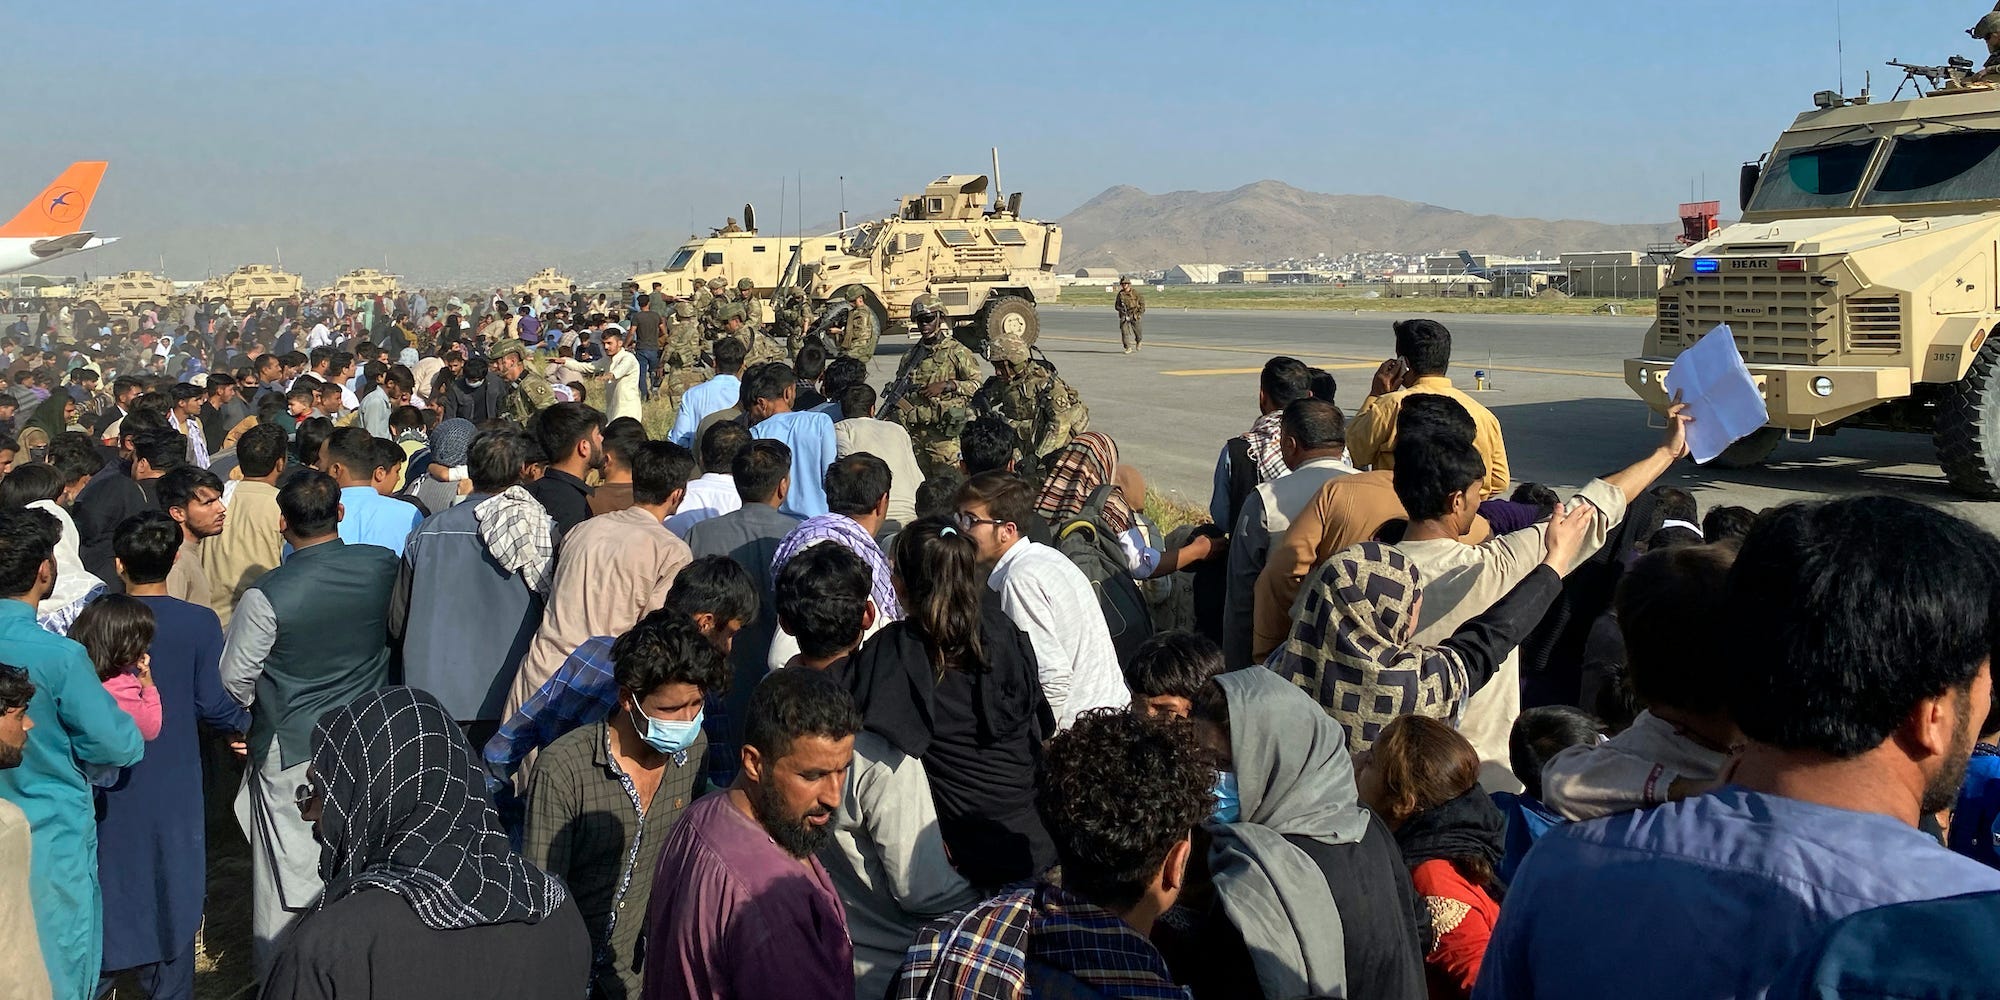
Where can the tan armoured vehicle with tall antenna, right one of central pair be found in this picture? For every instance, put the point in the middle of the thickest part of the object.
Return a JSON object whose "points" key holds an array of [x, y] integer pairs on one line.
{"points": [[983, 265]]}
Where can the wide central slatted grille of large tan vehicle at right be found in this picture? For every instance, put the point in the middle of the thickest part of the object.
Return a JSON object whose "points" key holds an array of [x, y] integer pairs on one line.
{"points": [[1779, 319]]}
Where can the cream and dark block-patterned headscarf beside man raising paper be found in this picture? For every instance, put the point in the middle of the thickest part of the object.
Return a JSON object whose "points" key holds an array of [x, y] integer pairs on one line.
{"points": [[1351, 647]]}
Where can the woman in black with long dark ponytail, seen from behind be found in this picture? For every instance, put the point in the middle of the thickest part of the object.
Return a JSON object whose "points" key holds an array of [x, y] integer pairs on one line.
{"points": [[955, 685]]}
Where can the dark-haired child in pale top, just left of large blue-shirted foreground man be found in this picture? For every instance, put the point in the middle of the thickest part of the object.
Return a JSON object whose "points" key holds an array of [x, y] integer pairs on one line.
{"points": [[1681, 741]]}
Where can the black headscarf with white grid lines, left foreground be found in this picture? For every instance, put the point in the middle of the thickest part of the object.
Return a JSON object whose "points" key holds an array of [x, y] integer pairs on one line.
{"points": [[405, 811]]}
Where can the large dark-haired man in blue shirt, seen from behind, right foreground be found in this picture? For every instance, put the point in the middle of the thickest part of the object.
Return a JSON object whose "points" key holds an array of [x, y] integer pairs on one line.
{"points": [[1857, 643]]}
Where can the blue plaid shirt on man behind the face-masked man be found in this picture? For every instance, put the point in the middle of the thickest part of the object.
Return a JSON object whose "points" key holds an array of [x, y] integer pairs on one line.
{"points": [[579, 693]]}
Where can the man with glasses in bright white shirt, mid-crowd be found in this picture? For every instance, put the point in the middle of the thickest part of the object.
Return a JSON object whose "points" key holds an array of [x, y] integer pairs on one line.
{"points": [[1047, 597]]}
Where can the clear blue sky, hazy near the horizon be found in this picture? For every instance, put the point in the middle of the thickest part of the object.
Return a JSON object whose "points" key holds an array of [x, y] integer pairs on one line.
{"points": [[563, 121]]}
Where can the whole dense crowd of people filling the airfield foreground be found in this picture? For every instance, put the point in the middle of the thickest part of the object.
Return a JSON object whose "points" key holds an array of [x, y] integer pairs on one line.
{"points": [[823, 693]]}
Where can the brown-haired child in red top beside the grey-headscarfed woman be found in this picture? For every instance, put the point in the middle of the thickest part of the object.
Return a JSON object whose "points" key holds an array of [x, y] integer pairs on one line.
{"points": [[1425, 781]]}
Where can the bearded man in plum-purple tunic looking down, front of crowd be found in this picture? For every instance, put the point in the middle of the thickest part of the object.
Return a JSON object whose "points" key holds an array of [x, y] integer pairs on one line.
{"points": [[741, 905]]}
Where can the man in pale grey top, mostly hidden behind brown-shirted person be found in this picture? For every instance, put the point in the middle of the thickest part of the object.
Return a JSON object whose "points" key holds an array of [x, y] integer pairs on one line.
{"points": [[1313, 443]]}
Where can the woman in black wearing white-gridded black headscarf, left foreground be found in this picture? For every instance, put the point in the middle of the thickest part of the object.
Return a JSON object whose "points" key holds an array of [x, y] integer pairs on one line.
{"points": [[423, 893]]}
